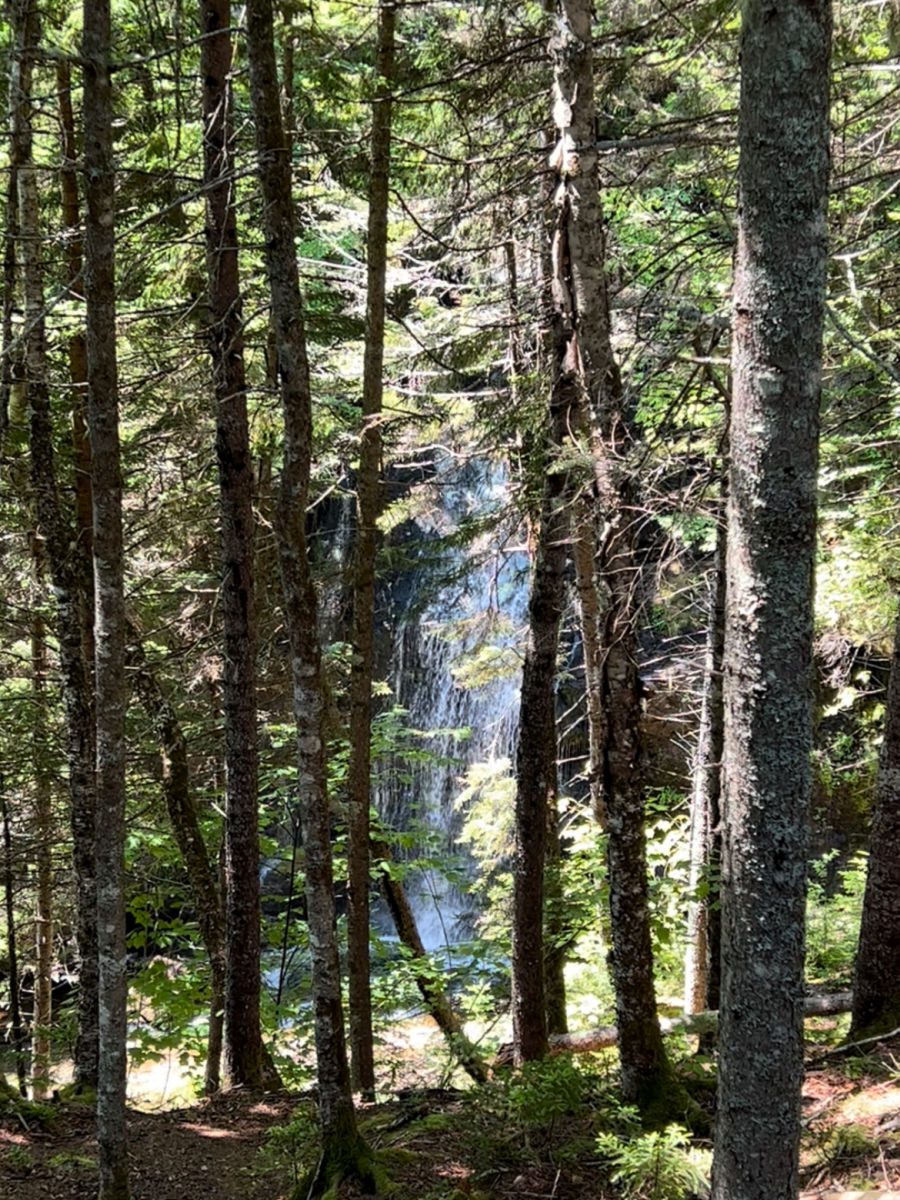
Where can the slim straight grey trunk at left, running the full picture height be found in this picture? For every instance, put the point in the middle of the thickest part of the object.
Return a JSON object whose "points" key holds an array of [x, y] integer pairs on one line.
{"points": [[110, 595]]}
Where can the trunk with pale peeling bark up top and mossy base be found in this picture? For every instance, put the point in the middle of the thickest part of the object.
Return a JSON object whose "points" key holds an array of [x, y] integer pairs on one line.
{"points": [[583, 322]]}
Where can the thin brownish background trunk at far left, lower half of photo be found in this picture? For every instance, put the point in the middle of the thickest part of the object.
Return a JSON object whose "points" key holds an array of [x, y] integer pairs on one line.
{"points": [[44, 851]]}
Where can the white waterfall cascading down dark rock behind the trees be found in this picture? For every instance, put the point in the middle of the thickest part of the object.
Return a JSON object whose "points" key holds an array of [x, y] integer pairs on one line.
{"points": [[457, 670]]}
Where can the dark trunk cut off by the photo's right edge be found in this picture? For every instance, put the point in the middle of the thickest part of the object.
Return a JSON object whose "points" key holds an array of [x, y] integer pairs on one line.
{"points": [[877, 987]]}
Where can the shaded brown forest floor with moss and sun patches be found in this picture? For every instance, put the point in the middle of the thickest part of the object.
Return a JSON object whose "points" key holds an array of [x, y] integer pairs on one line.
{"points": [[508, 1141]]}
